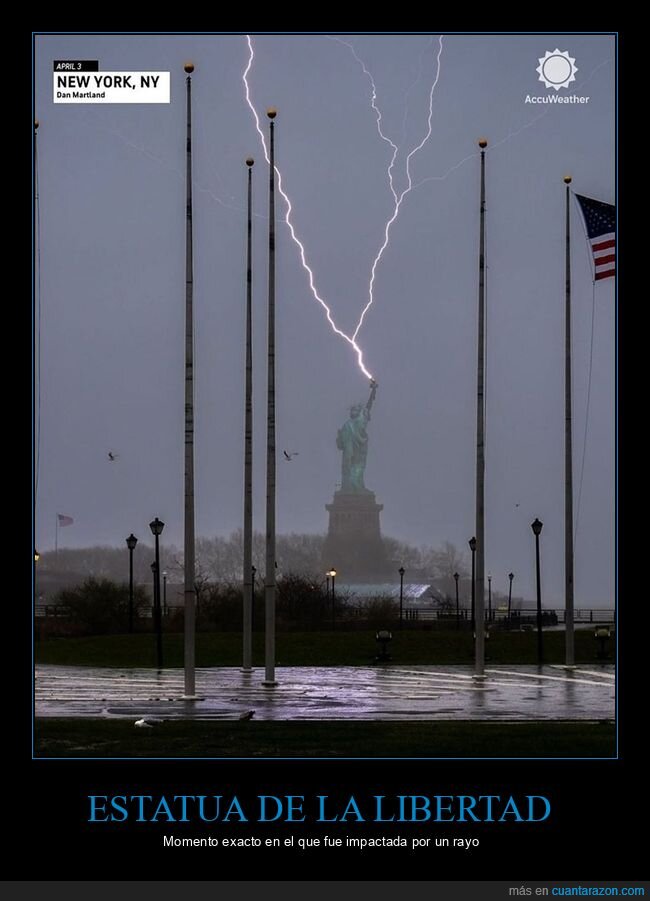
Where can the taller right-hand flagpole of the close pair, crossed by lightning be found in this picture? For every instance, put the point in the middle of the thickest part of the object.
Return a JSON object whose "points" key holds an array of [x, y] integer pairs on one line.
{"points": [[269, 593]]}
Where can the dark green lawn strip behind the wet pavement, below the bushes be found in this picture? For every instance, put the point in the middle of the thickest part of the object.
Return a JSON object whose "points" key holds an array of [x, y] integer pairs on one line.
{"points": [[317, 648]]}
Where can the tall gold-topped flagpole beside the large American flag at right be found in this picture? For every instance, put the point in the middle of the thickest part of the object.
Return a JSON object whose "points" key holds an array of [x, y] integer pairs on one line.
{"points": [[568, 453]]}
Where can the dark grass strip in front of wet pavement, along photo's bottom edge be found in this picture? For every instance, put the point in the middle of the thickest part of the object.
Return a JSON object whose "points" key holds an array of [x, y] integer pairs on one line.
{"points": [[187, 738]]}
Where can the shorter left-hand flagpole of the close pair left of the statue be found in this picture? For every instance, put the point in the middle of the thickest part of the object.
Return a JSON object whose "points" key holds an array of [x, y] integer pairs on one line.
{"points": [[248, 441]]}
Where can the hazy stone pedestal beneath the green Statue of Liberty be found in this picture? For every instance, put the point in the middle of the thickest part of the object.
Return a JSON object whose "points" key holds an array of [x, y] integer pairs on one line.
{"points": [[354, 546]]}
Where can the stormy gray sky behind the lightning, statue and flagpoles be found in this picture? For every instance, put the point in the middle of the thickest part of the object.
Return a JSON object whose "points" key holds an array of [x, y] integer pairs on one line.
{"points": [[112, 291]]}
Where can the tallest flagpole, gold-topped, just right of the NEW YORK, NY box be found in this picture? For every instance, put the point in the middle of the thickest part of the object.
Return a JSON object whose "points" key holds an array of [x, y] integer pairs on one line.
{"points": [[189, 543]]}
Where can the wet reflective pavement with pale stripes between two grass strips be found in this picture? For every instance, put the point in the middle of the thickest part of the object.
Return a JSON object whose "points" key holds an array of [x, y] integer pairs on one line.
{"points": [[333, 693]]}
